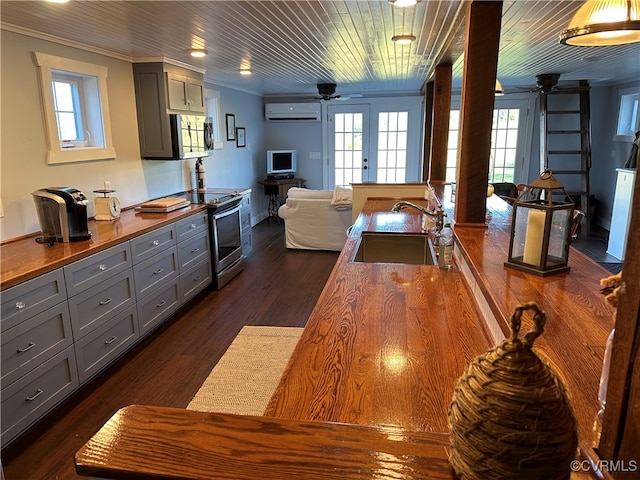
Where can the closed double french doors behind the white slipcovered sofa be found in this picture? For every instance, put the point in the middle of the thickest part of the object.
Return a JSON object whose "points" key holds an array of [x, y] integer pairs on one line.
{"points": [[374, 142]]}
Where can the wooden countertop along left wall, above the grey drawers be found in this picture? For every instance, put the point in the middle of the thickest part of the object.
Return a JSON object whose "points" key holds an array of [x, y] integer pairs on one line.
{"points": [[23, 259]]}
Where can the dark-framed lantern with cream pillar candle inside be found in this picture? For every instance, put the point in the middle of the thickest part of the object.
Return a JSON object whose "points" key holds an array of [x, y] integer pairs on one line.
{"points": [[541, 228]]}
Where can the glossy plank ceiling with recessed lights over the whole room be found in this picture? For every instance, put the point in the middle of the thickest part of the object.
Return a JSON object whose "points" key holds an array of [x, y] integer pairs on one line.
{"points": [[292, 45]]}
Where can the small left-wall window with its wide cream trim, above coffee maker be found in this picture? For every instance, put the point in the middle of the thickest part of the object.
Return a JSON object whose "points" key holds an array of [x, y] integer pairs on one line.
{"points": [[76, 109]]}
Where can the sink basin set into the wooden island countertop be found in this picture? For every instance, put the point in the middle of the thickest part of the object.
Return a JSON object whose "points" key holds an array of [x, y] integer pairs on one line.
{"points": [[388, 247]]}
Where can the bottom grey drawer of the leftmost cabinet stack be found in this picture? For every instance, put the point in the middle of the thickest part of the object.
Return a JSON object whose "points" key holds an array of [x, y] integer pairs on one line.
{"points": [[30, 397]]}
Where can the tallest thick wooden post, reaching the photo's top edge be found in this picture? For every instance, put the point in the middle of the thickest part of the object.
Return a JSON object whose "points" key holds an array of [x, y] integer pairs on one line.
{"points": [[482, 41]]}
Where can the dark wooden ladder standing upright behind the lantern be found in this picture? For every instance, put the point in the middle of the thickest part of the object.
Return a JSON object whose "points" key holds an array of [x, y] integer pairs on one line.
{"points": [[565, 143]]}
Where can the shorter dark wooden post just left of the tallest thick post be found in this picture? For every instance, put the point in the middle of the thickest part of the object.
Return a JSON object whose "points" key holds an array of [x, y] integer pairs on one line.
{"points": [[440, 132]]}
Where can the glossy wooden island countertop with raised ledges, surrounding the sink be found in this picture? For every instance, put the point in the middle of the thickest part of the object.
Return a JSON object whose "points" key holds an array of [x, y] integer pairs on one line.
{"points": [[381, 350]]}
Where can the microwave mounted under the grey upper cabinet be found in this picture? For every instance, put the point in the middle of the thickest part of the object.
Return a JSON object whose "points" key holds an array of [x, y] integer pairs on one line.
{"points": [[191, 137]]}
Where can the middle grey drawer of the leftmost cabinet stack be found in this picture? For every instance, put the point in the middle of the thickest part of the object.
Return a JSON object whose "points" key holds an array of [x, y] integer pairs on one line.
{"points": [[35, 341]]}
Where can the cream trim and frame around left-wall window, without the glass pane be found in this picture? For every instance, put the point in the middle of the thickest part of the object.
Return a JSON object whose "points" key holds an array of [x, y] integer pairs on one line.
{"points": [[96, 107]]}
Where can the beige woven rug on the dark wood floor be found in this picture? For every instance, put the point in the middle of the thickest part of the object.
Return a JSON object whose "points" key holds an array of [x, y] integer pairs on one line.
{"points": [[246, 376]]}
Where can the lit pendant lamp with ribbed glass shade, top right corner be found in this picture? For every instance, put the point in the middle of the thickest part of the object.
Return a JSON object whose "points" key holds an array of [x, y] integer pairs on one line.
{"points": [[604, 22]]}
